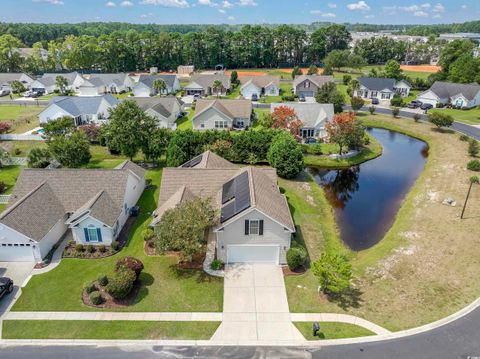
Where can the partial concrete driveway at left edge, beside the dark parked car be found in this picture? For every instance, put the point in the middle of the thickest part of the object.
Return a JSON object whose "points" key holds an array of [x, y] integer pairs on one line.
{"points": [[18, 272]]}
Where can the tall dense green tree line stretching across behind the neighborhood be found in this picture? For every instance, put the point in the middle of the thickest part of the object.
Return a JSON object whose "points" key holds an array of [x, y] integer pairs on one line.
{"points": [[251, 47]]}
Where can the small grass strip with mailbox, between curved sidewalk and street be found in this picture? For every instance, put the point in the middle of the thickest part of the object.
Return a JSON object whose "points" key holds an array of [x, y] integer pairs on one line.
{"points": [[332, 330]]}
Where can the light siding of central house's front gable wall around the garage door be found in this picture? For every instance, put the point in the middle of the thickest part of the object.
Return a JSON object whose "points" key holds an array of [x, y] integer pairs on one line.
{"points": [[234, 234]]}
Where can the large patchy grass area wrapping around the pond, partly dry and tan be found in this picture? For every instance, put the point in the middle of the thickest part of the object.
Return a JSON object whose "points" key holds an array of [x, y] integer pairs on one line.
{"points": [[424, 268]]}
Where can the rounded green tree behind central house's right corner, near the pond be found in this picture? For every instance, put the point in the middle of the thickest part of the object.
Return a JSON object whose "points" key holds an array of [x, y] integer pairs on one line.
{"points": [[285, 155]]}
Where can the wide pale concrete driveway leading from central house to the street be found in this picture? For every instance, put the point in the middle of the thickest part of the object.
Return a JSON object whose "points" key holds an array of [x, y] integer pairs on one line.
{"points": [[255, 306]]}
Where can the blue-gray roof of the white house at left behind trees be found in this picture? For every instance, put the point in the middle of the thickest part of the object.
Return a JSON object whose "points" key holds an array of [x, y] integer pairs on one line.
{"points": [[88, 105]]}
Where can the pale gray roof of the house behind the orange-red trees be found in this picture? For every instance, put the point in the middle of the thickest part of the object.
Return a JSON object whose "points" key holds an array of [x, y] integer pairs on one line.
{"points": [[311, 114]]}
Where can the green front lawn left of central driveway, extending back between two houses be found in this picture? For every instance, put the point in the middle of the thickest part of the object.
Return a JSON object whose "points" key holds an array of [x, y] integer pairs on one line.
{"points": [[165, 287]]}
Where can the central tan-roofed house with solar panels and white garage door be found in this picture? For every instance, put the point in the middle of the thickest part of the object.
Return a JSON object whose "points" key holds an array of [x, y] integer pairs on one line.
{"points": [[254, 224]]}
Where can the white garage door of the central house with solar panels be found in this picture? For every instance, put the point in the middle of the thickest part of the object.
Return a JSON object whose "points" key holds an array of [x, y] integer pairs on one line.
{"points": [[253, 254]]}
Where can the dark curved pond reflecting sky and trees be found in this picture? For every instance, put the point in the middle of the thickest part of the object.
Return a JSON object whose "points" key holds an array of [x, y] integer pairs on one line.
{"points": [[367, 197]]}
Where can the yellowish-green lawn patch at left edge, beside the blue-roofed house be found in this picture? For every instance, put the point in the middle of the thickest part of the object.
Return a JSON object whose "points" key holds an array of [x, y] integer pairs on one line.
{"points": [[21, 118]]}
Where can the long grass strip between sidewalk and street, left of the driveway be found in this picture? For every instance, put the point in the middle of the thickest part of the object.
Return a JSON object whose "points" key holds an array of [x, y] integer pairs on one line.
{"points": [[93, 329]]}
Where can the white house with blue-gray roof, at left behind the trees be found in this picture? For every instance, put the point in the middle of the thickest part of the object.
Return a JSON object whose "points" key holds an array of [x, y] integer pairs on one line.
{"points": [[82, 110]]}
